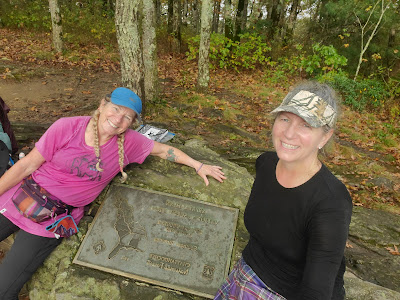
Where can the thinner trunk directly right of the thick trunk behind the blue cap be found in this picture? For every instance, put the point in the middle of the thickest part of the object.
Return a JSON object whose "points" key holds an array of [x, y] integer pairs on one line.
{"points": [[150, 50]]}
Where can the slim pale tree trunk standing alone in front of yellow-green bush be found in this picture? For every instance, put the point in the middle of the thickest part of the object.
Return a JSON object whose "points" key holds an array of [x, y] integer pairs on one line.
{"points": [[206, 20]]}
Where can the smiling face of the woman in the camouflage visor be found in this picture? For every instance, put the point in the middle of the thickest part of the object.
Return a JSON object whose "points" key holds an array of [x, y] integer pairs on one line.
{"points": [[295, 141]]}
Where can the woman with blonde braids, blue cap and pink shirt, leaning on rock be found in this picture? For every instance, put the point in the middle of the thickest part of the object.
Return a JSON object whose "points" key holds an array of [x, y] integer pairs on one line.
{"points": [[73, 161]]}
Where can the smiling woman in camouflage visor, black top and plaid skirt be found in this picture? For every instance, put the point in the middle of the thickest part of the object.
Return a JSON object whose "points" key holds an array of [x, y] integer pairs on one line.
{"points": [[298, 213]]}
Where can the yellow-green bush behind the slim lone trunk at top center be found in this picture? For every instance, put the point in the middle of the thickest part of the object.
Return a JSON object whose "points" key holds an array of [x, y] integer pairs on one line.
{"points": [[247, 53]]}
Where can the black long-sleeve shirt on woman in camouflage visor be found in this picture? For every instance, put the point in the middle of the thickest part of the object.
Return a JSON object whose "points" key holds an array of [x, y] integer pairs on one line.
{"points": [[298, 235]]}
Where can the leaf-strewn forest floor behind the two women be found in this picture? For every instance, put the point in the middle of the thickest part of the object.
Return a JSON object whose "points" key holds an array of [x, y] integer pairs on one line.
{"points": [[40, 87]]}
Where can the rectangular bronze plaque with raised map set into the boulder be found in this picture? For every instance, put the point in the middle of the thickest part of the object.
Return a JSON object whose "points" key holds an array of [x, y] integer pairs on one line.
{"points": [[162, 239]]}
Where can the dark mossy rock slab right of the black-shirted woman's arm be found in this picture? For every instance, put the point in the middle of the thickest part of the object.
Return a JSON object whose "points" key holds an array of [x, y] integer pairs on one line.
{"points": [[372, 235]]}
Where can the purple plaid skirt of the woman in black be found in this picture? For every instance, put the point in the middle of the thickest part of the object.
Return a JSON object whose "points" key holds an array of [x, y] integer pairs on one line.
{"points": [[243, 284]]}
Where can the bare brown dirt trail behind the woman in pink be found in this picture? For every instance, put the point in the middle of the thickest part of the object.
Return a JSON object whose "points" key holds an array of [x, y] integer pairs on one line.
{"points": [[55, 94]]}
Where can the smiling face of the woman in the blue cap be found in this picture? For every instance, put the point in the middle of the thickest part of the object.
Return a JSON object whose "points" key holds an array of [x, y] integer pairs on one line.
{"points": [[114, 119]]}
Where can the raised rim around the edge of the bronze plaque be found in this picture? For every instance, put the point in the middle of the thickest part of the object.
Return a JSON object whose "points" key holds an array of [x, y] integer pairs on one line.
{"points": [[145, 279]]}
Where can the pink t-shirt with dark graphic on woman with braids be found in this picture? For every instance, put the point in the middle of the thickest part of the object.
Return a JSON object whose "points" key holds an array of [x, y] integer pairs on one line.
{"points": [[69, 172]]}
